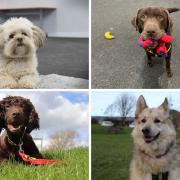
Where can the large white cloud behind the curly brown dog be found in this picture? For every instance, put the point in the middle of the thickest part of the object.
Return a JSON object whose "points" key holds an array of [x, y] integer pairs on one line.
{"points": [[56, 113]]}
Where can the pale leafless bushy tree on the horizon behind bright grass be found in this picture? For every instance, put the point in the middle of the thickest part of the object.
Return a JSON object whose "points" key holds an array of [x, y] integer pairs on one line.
{"points": [[63, 140]]}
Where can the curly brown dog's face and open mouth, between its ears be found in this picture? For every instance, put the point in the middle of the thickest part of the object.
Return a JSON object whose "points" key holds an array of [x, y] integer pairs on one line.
{"points": [[16, 119]]}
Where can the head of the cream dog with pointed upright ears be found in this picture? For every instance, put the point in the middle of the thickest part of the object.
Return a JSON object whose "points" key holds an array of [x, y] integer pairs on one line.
{"points": [[152, 124]]}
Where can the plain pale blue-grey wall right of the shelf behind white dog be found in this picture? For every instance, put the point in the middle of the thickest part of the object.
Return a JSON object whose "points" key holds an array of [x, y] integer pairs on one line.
{"points": [[71, 17]]}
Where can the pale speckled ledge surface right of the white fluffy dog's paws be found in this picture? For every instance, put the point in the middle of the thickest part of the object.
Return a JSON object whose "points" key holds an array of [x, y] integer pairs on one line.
{"points": [[54, 81]]}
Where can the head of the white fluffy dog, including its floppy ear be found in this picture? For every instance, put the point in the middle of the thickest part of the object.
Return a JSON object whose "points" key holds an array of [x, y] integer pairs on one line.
{"points": [[20, 38]]}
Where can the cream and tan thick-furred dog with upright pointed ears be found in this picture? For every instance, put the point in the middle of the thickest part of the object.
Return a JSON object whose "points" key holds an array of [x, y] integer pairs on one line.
{"points": [[155, 147]]}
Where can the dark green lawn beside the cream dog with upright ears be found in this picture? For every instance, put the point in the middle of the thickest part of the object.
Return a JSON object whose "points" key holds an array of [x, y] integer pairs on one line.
{"points": [[111, 154]]}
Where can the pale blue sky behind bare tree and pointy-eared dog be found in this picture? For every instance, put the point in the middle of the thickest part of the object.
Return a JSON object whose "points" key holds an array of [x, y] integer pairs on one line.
{"points": [[101, 99]]}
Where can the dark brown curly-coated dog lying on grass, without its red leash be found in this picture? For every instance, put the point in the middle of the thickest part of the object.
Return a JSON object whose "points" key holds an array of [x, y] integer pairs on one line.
{"points": [[16, 113]]}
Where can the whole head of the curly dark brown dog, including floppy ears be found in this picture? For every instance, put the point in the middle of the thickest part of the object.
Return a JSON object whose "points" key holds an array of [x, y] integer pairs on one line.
{"points": [[16, 113]]}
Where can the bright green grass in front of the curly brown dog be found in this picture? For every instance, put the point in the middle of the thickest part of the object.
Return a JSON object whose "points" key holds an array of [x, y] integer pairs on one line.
{"points": [[74, 168]]}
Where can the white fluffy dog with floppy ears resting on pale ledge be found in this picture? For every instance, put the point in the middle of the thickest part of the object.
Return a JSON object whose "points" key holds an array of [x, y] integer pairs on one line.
{"points": [[19, 40]]}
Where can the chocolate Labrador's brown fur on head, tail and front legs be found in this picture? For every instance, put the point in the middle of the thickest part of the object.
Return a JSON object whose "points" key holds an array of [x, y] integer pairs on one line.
{"points": [[154, 22]]}
